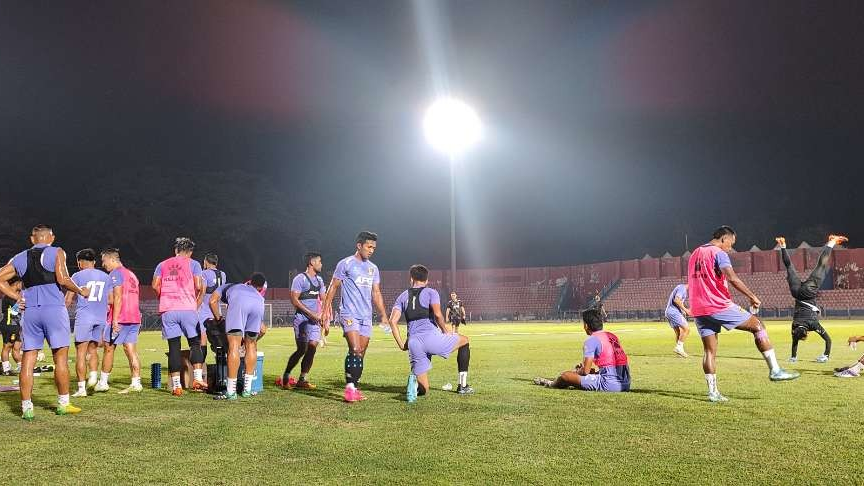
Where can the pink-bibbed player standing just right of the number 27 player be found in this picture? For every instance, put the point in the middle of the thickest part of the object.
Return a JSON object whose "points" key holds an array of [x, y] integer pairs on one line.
{"points": [[125, 320]]}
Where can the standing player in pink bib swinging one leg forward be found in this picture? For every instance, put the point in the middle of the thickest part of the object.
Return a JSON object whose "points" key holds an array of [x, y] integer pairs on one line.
{"points": [[708, 271]]}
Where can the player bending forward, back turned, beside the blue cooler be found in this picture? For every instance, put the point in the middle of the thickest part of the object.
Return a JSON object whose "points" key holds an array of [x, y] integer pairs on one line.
{"points": [[242, 325]]}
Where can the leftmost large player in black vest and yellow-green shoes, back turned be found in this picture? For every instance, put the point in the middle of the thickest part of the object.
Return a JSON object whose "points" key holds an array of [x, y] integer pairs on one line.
{"points": [[43, 271]]}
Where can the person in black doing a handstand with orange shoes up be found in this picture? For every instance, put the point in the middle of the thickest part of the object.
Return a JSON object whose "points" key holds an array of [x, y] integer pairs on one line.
{"points": [[806, 314]]}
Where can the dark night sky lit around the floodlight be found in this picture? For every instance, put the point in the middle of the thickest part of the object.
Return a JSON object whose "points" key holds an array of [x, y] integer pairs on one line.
{"points": [[611, 128]]}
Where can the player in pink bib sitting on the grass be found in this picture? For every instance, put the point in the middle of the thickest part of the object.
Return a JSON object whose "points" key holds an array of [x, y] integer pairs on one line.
{"points": [[601, 348]]}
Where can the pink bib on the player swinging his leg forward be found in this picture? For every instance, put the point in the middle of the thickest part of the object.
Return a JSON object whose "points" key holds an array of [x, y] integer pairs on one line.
{"points": [[708, 291]]}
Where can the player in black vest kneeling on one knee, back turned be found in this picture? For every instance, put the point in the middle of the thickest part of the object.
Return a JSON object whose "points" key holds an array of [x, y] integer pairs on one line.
{"points": [[428, 334]]}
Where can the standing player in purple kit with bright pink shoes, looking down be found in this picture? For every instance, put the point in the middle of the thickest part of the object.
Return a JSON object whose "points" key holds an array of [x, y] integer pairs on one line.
{"points": [[359, 283]]}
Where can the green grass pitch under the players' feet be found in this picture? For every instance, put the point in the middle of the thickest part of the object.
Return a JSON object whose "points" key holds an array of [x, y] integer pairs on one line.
{"points": [[806, 431]]}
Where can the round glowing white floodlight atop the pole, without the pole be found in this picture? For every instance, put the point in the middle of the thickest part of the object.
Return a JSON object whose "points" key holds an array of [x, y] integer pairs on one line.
{"points": [[451, 126]]}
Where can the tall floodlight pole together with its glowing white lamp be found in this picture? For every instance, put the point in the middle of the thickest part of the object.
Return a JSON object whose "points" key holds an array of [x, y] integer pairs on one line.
{"points": [[451, 127]]}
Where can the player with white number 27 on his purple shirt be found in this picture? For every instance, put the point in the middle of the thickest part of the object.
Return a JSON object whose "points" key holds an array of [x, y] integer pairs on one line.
{"points": [[90, 320]]}
